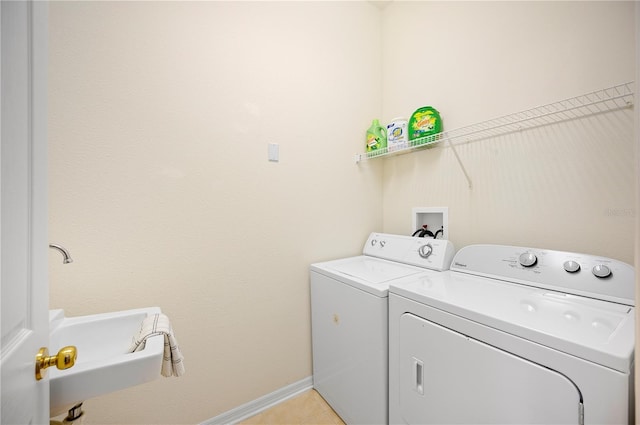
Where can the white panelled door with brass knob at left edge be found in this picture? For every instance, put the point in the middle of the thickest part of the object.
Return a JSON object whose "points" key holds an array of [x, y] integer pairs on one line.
{"points": [[24, 296]]}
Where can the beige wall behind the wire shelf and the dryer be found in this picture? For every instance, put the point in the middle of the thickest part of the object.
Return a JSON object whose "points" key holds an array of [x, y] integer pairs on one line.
{"points": [[569, 186]]}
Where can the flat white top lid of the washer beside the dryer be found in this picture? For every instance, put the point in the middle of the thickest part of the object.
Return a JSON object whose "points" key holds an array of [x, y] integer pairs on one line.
{"points": [[367, 273]]}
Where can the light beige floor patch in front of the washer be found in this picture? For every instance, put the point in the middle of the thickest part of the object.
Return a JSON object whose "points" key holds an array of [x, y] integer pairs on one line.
{"points": [[308, 408]]}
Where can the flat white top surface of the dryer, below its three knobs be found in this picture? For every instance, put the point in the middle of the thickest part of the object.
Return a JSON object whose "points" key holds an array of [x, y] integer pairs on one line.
{"points": [[595, 330]]}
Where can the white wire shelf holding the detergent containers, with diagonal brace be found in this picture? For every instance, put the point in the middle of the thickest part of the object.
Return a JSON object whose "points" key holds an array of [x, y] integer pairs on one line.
{"points": [[597, 102]]}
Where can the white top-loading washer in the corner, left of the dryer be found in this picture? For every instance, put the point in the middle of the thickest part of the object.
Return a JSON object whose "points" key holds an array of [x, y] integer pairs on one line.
{"points": [[349, 320]]}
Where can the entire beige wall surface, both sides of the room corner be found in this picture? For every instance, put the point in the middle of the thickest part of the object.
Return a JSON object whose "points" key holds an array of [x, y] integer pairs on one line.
{"points": [[160, 116]]}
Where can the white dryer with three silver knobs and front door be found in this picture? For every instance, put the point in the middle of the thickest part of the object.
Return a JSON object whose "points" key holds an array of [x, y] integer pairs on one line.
{"points": [[514, 335]]}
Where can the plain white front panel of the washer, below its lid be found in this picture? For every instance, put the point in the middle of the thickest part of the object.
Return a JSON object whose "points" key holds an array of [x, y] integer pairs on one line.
{"points": [[349, 342]]}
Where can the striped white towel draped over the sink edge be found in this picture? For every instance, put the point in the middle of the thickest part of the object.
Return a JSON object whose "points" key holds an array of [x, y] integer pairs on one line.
{"points": [[158, 324]]}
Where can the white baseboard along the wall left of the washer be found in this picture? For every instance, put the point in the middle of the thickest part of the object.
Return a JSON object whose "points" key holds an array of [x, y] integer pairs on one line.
{"points": [[258, 405]]}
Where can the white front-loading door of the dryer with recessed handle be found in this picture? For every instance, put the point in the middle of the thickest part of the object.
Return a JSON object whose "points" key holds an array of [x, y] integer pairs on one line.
{"points": [[447, 377]]}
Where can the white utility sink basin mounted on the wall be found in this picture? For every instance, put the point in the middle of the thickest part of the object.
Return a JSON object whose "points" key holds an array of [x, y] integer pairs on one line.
{"points": [[103, 364]]}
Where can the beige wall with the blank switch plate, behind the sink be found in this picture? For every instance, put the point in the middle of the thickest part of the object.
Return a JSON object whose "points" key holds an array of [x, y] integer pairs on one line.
{"points": [[160, 187]]}
